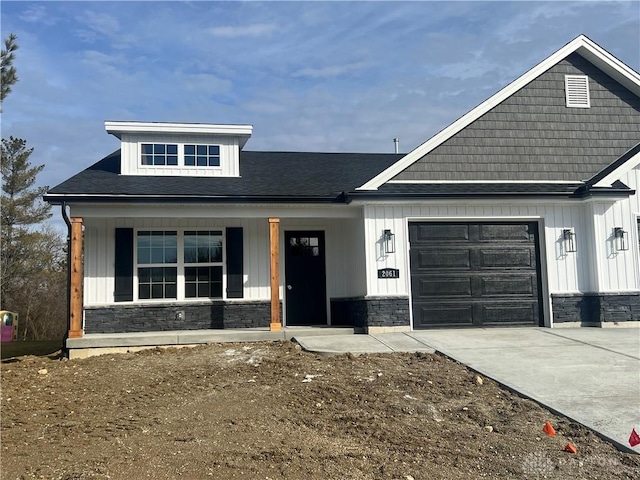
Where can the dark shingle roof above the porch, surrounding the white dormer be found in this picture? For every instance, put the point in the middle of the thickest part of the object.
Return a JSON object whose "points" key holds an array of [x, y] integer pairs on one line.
{"points": [[263, 175]]}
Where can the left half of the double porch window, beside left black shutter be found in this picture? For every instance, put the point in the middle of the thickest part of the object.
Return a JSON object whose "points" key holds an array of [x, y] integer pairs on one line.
{"points": [[157, 250]]}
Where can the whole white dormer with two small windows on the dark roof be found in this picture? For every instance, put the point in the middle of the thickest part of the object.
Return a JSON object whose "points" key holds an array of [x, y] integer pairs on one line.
{"points": [[180, 149]]}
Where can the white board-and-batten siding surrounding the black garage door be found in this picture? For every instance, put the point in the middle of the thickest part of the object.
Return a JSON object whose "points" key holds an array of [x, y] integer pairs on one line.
{"points": [[561, 272]]}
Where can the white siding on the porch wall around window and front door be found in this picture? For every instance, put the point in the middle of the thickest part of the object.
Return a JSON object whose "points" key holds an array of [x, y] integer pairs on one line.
{"points": [[344, 242]]}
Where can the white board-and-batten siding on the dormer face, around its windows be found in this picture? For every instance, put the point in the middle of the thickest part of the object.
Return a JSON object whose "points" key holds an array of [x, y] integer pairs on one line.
{"points": [[229, 155]]}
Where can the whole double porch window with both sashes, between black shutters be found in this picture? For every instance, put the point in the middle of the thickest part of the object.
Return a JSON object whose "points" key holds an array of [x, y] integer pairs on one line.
{"points": [[162, 270]]}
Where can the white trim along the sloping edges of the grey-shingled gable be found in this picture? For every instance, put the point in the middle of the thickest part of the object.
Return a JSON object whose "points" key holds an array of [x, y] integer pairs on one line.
{"points": [[581, 45]]}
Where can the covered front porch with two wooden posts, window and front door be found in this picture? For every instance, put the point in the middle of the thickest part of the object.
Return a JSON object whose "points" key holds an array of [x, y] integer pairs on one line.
{"points": [[268, 268]]}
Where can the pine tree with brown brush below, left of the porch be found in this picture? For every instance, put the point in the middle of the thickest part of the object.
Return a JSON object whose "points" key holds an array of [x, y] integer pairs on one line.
{"points": [[31, 254]]}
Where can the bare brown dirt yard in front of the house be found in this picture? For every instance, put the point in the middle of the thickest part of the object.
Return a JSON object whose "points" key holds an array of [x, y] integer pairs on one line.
{"points": [[270, 411]]}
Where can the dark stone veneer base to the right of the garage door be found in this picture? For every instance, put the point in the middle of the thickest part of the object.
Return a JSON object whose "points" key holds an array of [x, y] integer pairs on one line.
{"points": [[596, 309]]}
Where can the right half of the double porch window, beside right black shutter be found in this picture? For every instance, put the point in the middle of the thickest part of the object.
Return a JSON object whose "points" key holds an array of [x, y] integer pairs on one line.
{"points": [[203, 264]]}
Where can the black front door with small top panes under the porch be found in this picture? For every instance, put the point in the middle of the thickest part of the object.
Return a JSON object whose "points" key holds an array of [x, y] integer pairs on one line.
{"points": [[305, 278]]}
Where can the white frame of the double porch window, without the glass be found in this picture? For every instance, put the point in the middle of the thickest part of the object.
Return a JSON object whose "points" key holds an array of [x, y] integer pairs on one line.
{"points": [[180, 265]]}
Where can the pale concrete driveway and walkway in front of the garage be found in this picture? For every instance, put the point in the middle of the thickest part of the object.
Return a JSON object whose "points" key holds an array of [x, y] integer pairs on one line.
{"points": [[590, 375]]}
